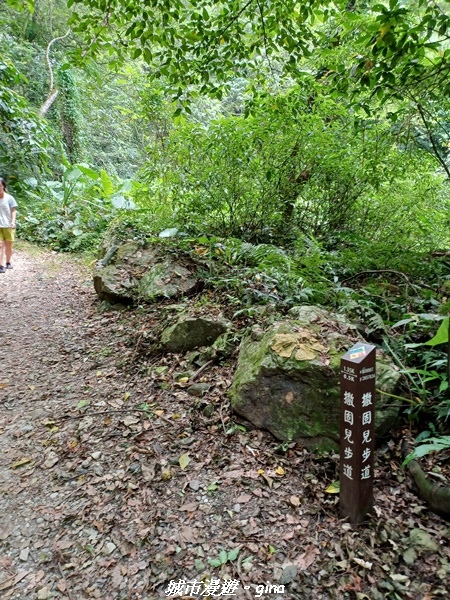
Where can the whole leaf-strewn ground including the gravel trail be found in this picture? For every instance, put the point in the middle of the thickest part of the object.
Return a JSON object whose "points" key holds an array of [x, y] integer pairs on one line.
{"points": [[114, 482]]}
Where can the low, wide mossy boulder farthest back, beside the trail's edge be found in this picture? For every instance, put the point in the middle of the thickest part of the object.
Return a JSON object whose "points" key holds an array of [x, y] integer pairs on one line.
{"points": [[131, 272]]}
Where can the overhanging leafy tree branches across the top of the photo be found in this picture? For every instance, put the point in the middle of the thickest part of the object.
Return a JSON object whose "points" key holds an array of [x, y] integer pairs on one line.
{"points": [[201, 42]]}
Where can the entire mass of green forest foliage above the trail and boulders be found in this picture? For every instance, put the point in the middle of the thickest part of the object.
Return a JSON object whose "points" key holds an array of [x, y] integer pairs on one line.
{"points": [[301, 149]]}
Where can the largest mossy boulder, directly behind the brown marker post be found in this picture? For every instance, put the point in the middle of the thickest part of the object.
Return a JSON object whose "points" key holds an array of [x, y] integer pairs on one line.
{"points": [[287, 379]]}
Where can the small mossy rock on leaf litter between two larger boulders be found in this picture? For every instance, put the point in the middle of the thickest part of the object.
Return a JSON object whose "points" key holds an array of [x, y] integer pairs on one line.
{"points": [[189, 333]]}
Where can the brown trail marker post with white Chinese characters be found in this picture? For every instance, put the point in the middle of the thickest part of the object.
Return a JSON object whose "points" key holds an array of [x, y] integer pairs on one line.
{"points": [[357, 432]]}
